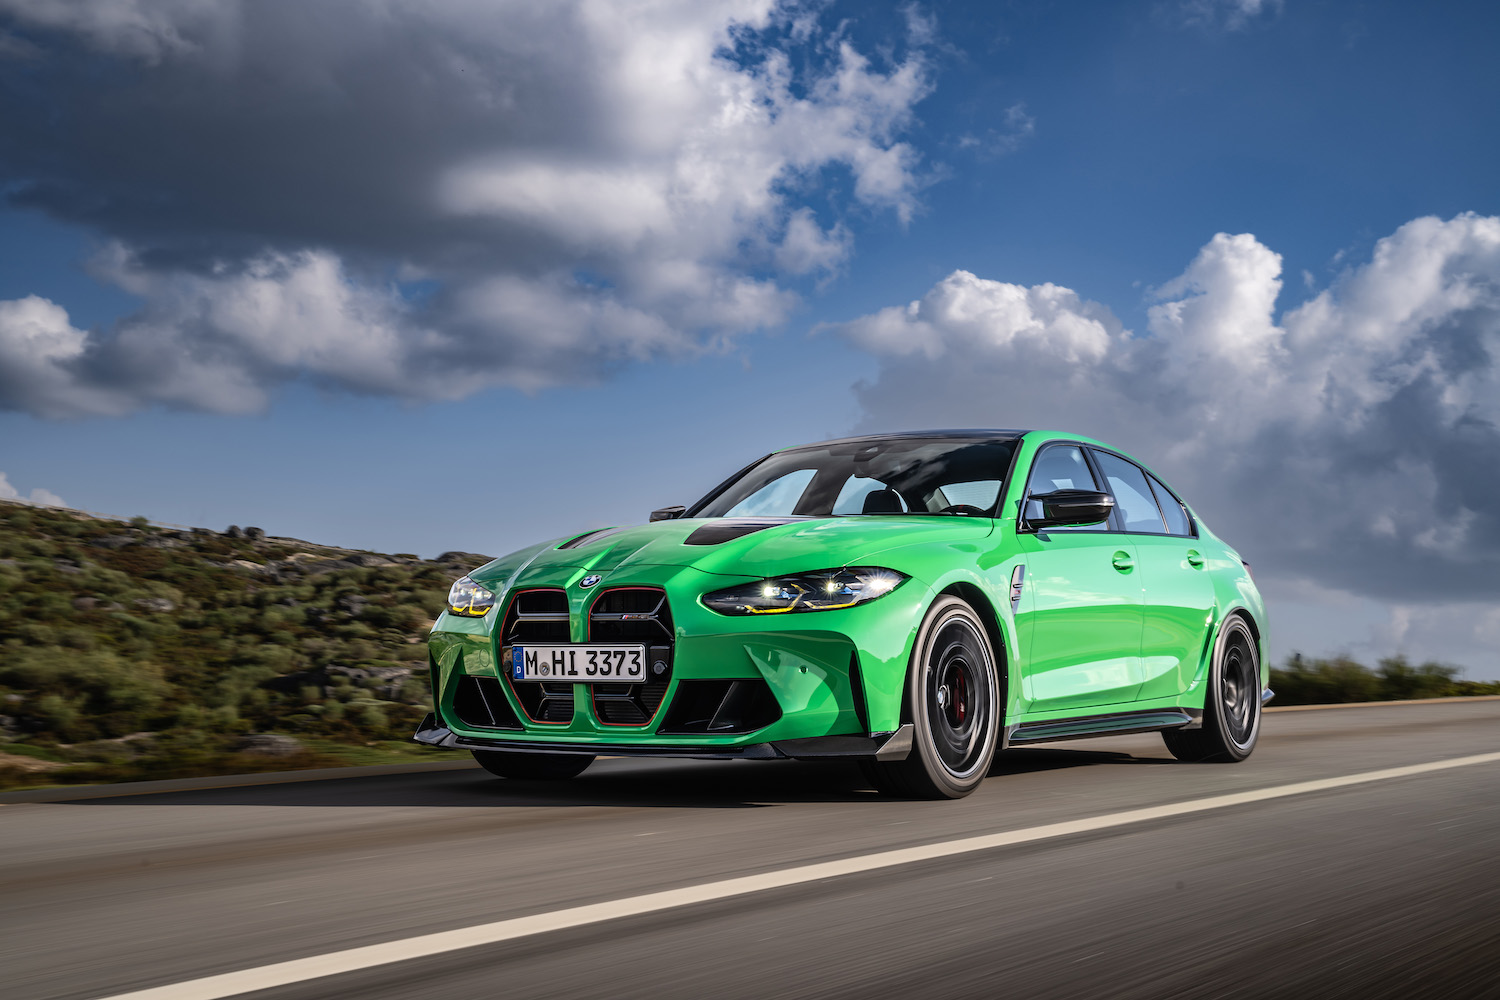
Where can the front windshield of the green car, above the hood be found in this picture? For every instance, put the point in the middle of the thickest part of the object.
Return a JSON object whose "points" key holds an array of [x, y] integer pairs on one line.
{"points": [[898, 476]]}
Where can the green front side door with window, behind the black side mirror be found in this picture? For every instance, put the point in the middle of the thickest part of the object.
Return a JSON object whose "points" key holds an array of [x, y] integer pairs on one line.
{"points": [[1079, 620]]}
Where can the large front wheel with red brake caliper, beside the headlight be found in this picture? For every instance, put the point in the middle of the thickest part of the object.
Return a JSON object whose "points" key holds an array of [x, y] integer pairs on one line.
{"points": [[953, 701]]}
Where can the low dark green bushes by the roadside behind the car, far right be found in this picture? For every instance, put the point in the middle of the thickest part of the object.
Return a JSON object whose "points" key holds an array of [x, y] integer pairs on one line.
{"points": [[1304, 681]]}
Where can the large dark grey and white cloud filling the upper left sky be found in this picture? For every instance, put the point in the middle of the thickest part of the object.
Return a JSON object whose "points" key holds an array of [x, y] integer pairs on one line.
{"points": [[427, 200]]}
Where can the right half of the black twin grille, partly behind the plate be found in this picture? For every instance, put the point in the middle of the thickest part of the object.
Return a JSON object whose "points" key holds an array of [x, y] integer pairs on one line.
{"points": [[634, 614]]}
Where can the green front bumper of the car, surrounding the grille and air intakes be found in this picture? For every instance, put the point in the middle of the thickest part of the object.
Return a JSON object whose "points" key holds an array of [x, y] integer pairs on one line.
{"points": [[836, 674]]}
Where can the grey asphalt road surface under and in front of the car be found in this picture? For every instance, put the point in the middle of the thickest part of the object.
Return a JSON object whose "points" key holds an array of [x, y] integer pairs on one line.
{"points": [[1379, 890]]}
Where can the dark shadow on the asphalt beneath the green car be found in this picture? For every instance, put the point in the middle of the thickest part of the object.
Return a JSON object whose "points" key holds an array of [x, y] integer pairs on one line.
{"points": [[608, 783]]}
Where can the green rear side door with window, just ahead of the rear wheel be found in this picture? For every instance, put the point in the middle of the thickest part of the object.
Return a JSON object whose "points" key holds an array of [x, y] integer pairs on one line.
{"points": [[1178, 591]]}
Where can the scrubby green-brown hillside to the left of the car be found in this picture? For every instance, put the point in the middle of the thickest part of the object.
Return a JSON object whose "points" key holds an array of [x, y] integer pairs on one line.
{"points": [[134, 651]]}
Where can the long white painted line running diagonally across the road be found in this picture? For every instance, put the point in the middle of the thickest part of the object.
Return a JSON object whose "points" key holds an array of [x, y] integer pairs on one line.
{"points": [[427, 945]]}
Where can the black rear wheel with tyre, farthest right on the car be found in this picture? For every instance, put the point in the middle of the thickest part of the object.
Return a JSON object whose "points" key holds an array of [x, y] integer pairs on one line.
{"points": [[1231, 707]]}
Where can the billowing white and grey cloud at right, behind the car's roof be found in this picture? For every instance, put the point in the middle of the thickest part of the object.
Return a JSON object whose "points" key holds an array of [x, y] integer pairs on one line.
{"points": [[1352, 442]]}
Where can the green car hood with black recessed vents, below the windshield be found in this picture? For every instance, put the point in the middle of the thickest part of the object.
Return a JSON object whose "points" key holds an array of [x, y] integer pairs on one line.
{"points": [[731, 546]]}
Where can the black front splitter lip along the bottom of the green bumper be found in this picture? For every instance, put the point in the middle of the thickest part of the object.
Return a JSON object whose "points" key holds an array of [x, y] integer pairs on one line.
{"points": [[877, 747]]}
